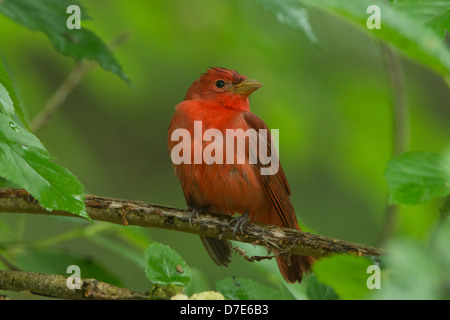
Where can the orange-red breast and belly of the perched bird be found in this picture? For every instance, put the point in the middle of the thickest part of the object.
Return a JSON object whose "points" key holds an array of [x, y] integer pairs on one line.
{"points": [[223, 185]]}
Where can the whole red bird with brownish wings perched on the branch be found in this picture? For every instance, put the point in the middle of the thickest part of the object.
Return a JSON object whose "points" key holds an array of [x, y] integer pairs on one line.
{"points": [[220, 100]]}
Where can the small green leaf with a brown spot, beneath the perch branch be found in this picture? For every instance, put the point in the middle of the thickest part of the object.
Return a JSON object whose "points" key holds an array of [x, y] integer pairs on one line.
{"points": [[165, 266]]}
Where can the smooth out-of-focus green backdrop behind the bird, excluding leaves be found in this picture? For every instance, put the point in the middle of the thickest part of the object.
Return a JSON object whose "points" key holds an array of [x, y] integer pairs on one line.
{"points": [[331, 103]]}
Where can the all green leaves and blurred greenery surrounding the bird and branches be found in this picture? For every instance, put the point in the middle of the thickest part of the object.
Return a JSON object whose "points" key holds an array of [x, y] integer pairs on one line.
{"points": [[325, 87]]}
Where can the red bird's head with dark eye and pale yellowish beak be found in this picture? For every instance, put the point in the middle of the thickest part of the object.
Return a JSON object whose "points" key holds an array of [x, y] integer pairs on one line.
{"points": [[224, 86]]}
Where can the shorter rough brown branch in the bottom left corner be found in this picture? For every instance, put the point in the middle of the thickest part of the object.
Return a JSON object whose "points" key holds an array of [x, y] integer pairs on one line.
{"points": [[55, 286]]}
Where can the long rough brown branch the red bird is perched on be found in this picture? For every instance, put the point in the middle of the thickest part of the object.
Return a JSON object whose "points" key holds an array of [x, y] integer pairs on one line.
{"points": [[126, 212]]}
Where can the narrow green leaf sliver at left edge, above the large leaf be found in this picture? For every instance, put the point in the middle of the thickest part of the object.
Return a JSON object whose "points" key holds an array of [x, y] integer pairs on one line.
{"points": [[8, 99]]}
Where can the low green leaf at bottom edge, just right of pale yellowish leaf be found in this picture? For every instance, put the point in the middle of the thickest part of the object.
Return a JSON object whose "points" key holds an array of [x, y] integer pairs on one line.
{"points": [[246, 289]]}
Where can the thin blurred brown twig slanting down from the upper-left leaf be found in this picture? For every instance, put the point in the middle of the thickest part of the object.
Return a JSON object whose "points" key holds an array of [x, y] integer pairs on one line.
{"points": [[63, 91]]}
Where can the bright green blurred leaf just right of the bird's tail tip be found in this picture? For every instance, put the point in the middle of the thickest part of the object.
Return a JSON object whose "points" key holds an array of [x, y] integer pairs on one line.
{"points": [[346, 274]]}
